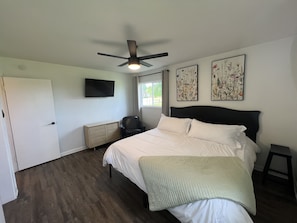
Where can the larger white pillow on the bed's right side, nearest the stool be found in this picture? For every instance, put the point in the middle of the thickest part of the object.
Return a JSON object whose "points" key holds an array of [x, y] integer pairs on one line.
{"points": [[223, 134]]}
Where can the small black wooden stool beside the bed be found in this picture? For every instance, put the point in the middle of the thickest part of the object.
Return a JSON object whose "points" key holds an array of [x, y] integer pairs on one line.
{"points": [[283, 151]]}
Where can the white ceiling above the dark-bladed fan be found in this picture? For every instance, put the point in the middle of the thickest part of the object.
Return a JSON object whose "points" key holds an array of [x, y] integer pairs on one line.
{"points": [[71, 32]]}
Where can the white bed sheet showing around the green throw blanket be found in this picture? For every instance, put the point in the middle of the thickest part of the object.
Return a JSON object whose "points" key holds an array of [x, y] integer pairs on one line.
{"points": [[124, 156]]}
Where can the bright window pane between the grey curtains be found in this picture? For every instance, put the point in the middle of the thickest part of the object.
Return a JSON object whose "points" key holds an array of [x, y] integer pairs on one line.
{"points": [[151, 94]]}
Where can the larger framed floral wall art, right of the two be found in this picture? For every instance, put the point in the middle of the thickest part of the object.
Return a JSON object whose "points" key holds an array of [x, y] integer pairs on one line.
{"points": [[227, 79]]}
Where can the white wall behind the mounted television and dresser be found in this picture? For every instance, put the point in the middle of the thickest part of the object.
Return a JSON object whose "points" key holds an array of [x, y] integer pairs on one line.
{"points": [[73, 110]]}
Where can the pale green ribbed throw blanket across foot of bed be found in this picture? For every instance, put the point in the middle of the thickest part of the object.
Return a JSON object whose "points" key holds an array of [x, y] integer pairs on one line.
{"points": [[175, 180]]}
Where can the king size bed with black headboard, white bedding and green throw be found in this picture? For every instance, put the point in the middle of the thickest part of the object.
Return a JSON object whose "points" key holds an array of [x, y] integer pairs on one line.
{"points": [[197, 163]]}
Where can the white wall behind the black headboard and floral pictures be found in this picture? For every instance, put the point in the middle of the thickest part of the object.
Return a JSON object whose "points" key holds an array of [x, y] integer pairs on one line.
{"points": [[270, 86]]}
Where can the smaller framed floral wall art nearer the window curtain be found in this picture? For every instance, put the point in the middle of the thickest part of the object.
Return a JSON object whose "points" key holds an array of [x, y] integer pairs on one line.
{"points": [[187, 83]]}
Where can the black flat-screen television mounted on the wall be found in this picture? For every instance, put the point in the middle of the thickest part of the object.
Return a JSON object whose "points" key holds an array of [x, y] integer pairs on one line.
{"points": [[99, 88]]}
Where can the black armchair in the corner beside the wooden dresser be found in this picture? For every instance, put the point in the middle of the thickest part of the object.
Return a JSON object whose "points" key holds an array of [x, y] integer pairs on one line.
{"points": [[131, 125]]}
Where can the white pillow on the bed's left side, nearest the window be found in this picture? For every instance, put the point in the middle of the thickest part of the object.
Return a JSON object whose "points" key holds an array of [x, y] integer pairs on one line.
{"points": [[177, 125]]}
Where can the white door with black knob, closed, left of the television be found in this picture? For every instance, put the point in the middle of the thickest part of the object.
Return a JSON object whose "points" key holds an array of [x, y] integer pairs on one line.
{"points": [[31, 110]]}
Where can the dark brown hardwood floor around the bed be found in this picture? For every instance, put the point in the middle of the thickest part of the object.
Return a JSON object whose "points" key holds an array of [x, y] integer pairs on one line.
{"points": [[76, 188]]}
